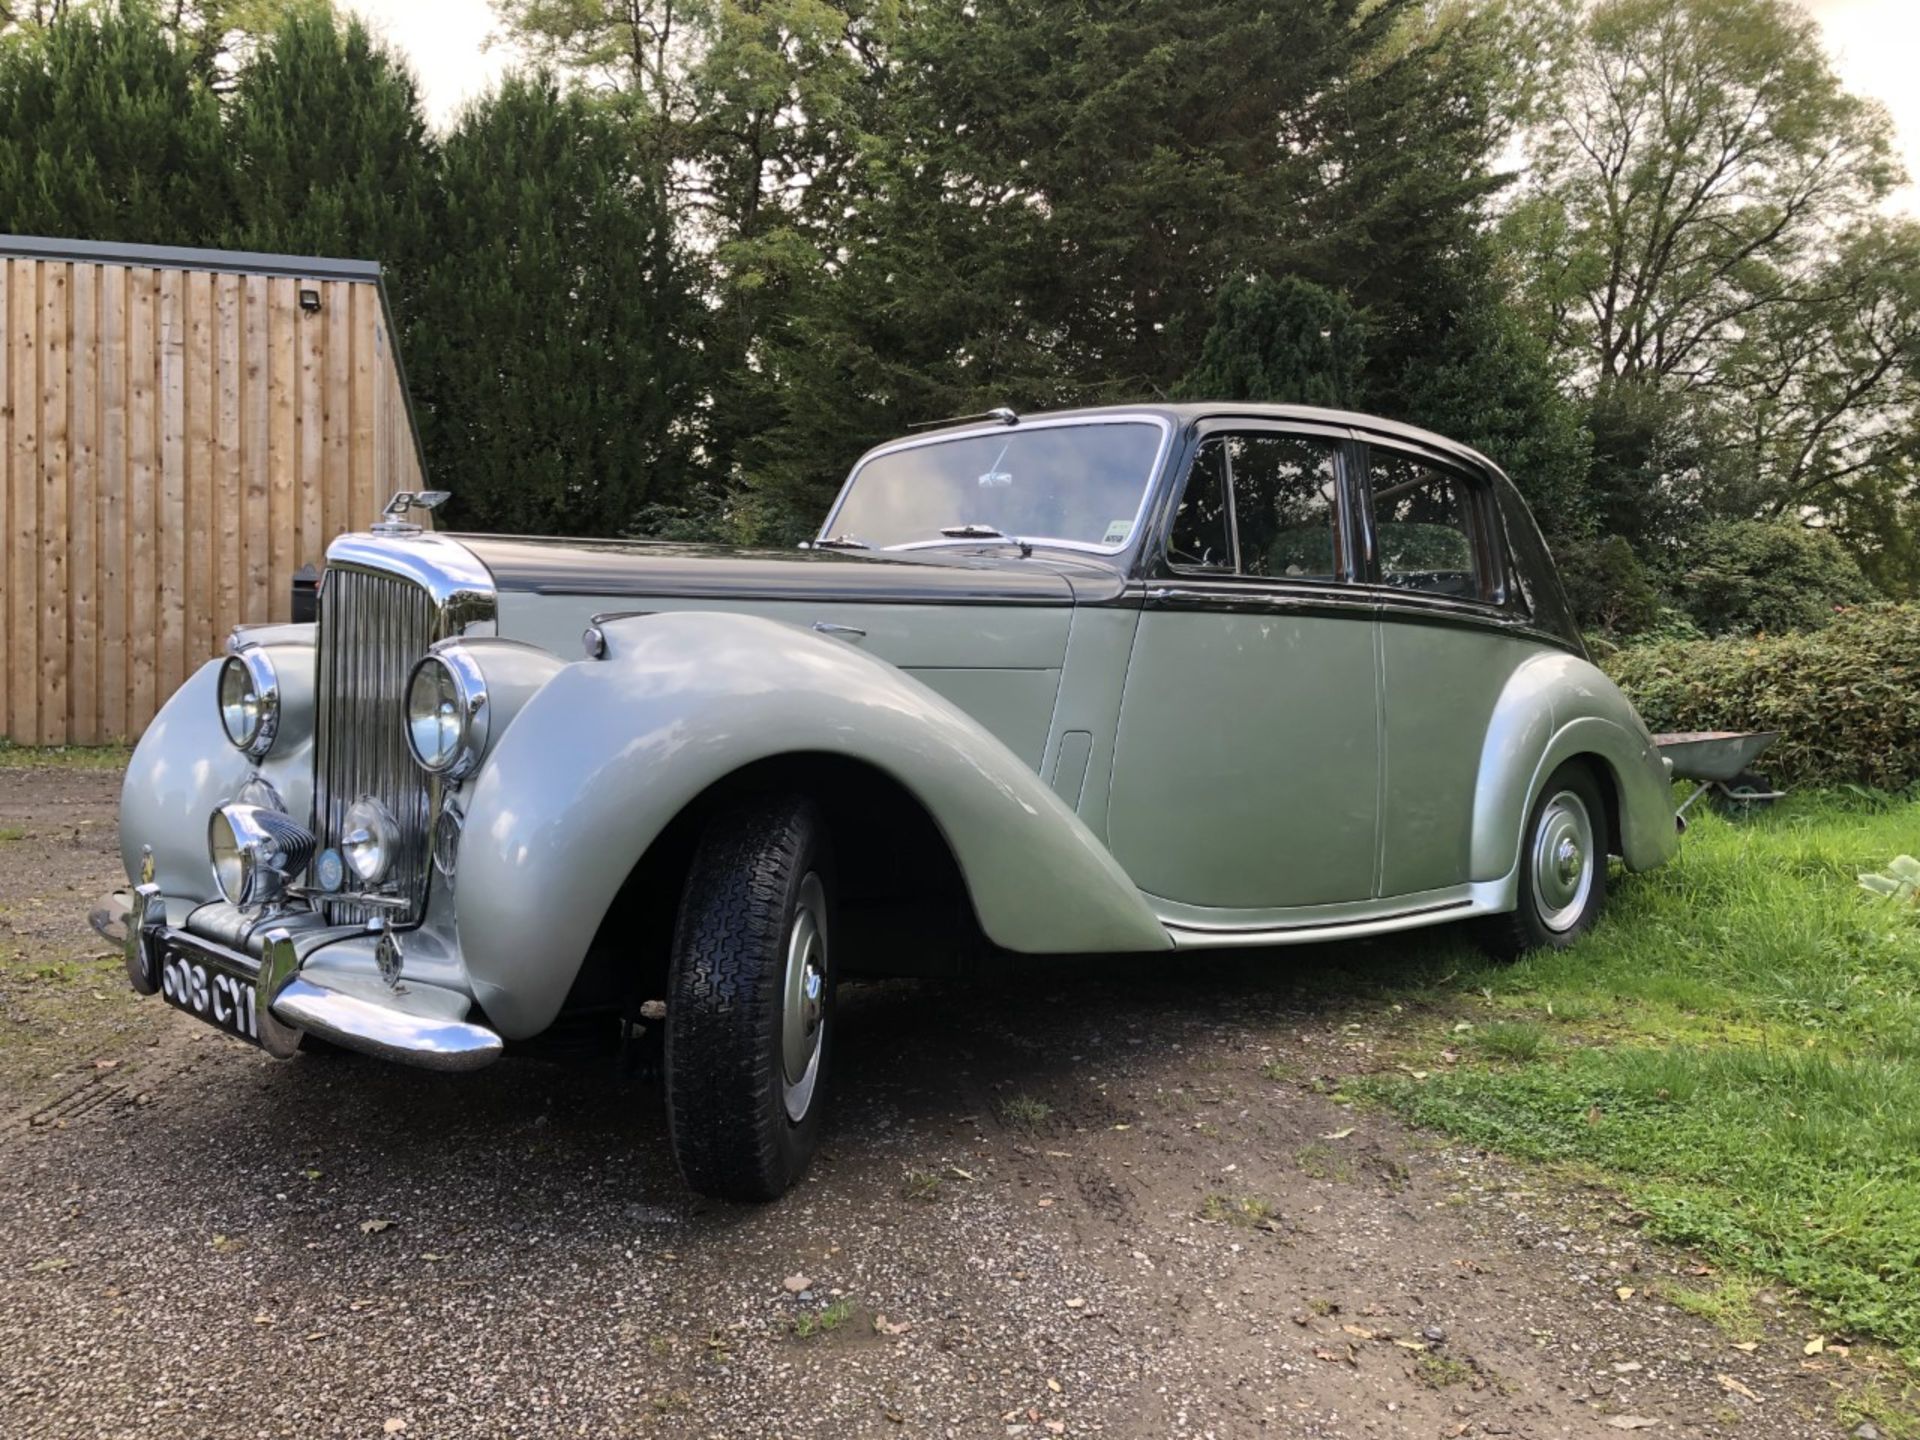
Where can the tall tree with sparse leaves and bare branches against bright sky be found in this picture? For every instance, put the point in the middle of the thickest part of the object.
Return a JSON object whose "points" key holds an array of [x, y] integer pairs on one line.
{"points": [[1700, 239]]}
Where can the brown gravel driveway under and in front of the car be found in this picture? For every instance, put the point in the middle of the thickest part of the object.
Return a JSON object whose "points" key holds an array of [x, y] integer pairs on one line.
{"points": [[1099, 1201]]}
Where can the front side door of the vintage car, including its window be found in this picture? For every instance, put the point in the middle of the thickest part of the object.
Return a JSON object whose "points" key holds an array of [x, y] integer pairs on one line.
{"points": [[1247, 763]]}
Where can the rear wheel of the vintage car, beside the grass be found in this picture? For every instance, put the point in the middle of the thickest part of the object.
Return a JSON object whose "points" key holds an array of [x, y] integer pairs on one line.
{"points": [[1550, 913]]}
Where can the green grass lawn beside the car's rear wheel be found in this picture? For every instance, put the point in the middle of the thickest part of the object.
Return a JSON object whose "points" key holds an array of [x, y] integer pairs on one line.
{"points": [[1737, 1047]]}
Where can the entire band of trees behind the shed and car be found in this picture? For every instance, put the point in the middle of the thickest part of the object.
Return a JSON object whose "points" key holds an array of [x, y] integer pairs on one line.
{"points": [[683, 276]]}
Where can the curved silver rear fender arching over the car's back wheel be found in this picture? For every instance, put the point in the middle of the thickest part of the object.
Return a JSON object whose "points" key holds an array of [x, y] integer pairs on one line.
{"points": [[1558, 708]]}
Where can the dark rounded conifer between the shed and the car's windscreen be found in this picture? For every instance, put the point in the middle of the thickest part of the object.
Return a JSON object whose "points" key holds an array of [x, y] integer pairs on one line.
{"points": [[550, 352]]}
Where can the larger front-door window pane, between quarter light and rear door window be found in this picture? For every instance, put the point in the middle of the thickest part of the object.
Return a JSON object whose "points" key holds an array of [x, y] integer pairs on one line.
{"points": [[1284, 492]]}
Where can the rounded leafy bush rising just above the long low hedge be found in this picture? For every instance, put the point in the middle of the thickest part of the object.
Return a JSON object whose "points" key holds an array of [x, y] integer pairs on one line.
{"points": [[1748, 577]]}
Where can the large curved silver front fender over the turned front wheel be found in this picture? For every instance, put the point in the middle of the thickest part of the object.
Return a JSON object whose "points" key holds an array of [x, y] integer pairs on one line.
{"points": [[610, 752]]}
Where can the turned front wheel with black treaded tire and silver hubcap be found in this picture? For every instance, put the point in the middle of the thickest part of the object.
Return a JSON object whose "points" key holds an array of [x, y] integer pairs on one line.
{"points": [[761, 876]]}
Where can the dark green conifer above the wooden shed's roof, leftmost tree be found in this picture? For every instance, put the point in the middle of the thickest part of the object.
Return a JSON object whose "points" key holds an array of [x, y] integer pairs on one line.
{"points": [[108, 132]]}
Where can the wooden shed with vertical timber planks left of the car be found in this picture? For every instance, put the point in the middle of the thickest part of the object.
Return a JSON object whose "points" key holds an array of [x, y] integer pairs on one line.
{"points": [[180, 433]]}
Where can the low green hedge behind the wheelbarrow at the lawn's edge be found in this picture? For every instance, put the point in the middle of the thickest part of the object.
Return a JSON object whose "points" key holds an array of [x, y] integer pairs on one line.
{"points": [[1846, 700]]}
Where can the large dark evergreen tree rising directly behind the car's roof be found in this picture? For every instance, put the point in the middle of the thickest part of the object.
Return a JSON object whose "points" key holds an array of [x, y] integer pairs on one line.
{"points": [[1055, 197]]}
